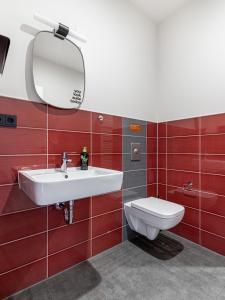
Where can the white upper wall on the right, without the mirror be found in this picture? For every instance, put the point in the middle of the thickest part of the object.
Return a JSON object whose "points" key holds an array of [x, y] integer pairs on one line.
{"points": [[191, 61]]}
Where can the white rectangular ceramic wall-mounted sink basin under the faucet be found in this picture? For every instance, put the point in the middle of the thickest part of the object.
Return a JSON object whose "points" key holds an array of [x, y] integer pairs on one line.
{"points": [[50, 186]]}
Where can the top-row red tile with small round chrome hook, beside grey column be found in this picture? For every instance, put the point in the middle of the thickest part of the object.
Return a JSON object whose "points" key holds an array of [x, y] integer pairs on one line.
{"points": [[110, 124]]}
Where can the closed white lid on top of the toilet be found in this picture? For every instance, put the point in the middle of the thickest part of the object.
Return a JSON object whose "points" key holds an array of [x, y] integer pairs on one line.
{"points": [[158, 207]]}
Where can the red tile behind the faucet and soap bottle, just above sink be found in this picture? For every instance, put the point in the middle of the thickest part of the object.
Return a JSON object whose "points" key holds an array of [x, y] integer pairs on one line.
{"points": [[55, 161]]}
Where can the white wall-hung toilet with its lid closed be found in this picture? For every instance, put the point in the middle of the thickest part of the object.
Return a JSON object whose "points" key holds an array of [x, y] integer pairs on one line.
{"points": [[148, 216]]}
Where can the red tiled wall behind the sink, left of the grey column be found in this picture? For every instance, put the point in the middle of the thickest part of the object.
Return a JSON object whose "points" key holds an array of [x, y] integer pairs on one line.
{"points": [[35, 242]]}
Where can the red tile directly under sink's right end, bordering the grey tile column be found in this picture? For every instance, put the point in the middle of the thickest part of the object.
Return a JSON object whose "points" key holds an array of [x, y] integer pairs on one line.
{"points": [[106, 203]]}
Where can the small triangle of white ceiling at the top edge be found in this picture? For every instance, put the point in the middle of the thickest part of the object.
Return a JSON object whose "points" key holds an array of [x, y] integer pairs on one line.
{"points": [[158, 10]]}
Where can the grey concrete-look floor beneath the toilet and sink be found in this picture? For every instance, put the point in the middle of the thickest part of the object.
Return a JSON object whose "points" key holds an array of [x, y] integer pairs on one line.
{"points": [[136, 270]]}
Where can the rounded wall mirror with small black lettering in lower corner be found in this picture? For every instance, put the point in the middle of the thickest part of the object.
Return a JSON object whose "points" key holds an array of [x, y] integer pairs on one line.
{"points": [[58, 71]]}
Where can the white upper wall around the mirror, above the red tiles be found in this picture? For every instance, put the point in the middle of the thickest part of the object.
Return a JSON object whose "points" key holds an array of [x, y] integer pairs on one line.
{"points": [[119, 55]]}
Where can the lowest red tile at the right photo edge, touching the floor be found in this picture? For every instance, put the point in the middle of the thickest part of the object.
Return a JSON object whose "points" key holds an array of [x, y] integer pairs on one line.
{"points": [[213, 242]]}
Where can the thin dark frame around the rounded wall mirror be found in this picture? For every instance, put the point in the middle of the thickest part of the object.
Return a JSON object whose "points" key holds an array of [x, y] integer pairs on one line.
{"points": [[82, 56]]}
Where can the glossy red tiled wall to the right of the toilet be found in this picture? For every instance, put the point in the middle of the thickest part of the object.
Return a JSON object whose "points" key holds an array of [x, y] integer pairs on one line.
{"points": [[194, 150]]}
